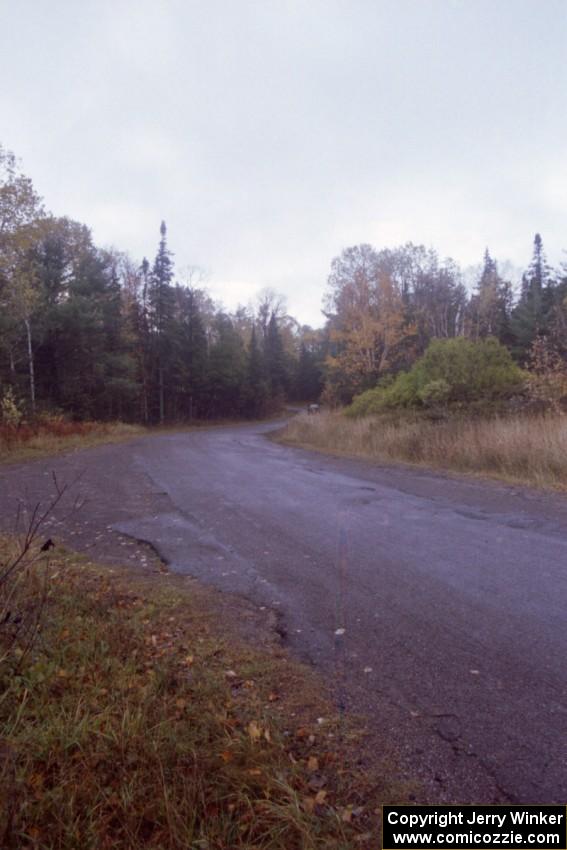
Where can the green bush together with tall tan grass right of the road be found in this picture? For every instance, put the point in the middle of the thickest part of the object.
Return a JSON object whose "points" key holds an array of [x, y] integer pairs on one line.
{"points": [[463, 406]]}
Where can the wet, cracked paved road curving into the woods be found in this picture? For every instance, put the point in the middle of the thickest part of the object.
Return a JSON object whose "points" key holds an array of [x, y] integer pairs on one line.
{"points": [[452, 594]]}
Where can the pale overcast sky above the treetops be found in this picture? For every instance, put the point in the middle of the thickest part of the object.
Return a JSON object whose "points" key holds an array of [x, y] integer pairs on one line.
{"points": [[270, 135]]}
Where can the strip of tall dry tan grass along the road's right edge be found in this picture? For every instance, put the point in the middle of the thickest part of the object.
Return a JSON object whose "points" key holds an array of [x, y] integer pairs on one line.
{"points": [[528, 450]]}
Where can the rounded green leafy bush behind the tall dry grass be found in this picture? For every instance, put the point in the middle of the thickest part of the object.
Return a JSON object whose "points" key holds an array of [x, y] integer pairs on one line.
{"points": [[451, 370]]}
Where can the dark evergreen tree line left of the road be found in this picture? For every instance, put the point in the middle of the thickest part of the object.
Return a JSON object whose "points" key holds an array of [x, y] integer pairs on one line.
{"points": [[88, 332]]}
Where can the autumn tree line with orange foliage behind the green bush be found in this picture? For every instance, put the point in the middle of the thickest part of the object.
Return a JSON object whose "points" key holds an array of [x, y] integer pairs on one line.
{"points": [[385, 307]]}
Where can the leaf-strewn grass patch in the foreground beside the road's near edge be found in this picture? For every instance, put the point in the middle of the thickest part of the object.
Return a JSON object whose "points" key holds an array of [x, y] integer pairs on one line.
{"points": [[134, 721]]}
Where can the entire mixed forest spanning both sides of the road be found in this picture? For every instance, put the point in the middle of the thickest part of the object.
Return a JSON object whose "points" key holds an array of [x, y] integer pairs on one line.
{"points": [[90, 333]]}
